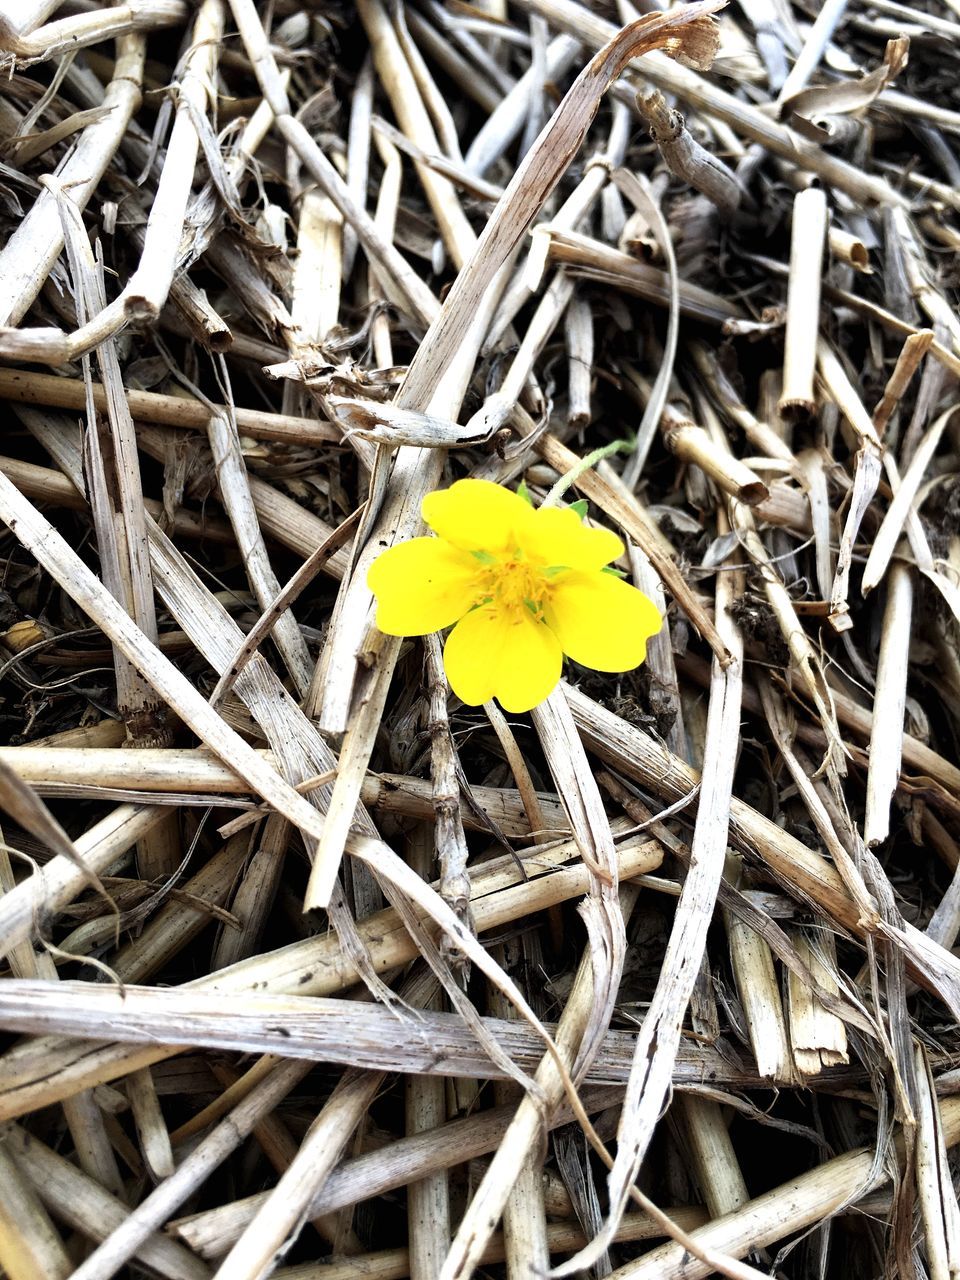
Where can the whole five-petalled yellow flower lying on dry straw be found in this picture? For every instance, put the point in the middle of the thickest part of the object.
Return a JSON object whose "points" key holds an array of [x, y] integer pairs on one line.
{"points": [[524, 587]]}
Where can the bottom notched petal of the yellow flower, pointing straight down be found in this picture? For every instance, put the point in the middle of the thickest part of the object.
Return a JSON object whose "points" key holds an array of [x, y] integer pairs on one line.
{"points": [[502, 655]]}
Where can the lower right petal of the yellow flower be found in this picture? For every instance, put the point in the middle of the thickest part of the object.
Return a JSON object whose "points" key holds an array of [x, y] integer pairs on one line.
{"points": [[601, 621]]}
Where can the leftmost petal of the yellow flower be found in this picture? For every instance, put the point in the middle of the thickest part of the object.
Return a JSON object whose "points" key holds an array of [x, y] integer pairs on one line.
{"points": [[422, 586]]}
